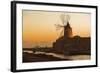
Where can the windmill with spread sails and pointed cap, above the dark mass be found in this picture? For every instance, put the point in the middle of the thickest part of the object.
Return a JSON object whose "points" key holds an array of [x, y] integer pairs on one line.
{"points": [[65, 27]]}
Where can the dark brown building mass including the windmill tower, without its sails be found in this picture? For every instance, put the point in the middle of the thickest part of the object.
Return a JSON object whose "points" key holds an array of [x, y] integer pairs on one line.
{"points": [[69, 44]]}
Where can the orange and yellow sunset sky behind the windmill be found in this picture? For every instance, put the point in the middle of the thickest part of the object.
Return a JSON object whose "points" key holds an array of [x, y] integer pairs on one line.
{"points": [[39, 26]]}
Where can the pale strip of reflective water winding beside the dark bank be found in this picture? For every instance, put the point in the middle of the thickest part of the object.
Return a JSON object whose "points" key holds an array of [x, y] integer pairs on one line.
{"points": [[72, 57]]}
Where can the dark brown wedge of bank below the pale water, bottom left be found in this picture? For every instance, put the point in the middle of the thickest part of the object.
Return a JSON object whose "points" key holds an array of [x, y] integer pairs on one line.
{"points": [[31, 57]]}
